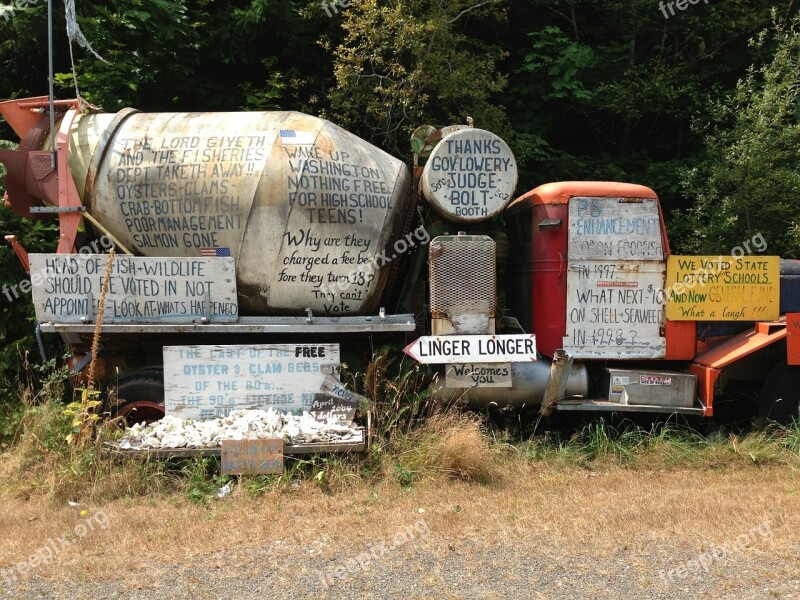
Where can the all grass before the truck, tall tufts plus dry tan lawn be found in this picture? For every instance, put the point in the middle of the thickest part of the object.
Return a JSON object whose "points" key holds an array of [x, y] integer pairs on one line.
{"points": [[599, 492]]}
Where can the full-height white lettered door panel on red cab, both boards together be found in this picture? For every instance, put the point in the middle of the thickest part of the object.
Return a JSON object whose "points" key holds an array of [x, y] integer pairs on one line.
{"points": [[616, 269]]}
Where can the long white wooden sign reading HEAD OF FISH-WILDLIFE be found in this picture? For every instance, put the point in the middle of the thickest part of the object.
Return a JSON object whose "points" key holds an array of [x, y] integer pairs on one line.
{"points": [[67, 288]]}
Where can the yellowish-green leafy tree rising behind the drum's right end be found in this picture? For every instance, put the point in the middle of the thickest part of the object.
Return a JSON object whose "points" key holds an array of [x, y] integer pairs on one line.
{"points": [[403, 64]]}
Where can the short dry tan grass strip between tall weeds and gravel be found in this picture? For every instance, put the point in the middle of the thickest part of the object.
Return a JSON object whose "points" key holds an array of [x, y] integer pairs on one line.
{"points": [[573, 510]]}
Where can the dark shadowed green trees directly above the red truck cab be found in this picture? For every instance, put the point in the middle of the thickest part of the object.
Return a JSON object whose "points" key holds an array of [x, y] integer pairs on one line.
{"points": [[607, 90]]}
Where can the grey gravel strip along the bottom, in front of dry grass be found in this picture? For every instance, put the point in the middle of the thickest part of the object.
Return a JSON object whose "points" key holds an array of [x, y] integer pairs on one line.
{"points": [[426, 564]]}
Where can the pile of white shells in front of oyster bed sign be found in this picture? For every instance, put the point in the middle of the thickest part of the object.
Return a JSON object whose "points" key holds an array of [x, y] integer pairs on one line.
{"points": [[172, 432]]}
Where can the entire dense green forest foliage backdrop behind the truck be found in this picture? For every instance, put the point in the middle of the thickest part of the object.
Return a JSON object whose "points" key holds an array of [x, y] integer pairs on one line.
{"points": [[581, 89]]}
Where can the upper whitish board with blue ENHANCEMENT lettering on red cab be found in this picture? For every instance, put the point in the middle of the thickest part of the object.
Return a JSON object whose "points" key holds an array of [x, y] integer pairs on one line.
{"points": [[607, 229]]}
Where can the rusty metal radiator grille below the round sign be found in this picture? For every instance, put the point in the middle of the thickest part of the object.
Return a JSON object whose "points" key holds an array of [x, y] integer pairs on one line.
{"points": [[462, 276]]}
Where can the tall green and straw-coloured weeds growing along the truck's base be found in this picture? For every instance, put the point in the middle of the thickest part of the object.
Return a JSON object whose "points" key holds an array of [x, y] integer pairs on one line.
{"points": [[414, 439]]}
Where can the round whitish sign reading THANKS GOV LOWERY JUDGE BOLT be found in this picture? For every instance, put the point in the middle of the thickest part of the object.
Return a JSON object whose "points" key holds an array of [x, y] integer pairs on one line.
{"points": [[470, 176]]}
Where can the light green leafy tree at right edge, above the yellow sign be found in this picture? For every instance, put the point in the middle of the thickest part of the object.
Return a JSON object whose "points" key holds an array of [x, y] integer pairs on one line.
{"points": [[749, 181]]}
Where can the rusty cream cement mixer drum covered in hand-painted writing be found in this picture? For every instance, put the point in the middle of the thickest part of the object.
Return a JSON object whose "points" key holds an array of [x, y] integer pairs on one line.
{"points": [[306, 208]]}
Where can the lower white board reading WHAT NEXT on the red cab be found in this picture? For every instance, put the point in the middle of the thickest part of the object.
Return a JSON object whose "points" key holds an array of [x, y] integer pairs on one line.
{"points": [[615, 309]]}
